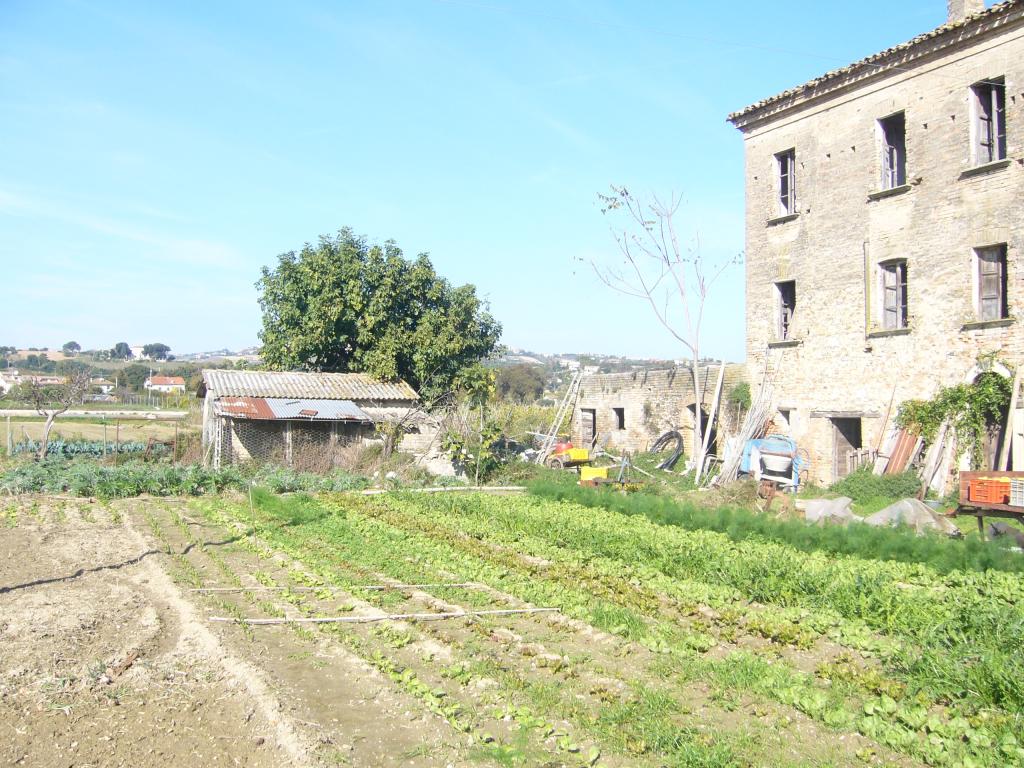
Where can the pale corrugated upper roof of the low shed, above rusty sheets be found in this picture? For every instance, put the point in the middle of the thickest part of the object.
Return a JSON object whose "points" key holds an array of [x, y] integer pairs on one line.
{"points": [[296, 386]]}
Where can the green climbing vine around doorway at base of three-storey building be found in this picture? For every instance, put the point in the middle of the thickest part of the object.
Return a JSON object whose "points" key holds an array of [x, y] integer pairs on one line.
{"points": [[968, 408]]}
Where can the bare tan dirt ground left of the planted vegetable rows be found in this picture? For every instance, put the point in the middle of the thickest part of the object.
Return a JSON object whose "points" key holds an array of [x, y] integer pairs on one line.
{"points": [[105, 662]]}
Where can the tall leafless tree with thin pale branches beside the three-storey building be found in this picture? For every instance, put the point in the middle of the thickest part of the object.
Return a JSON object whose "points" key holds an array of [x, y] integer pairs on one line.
{"points": [[674, 280]]}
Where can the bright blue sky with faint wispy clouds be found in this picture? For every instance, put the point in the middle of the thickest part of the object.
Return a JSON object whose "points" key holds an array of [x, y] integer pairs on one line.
{"points": [[155, 156]]}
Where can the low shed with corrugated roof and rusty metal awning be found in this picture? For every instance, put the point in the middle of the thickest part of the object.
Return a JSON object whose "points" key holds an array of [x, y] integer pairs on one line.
{"points": [[295, 418]]}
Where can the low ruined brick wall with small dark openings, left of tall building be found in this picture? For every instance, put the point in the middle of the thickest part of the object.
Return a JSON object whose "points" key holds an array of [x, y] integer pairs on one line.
{"points": [[631, 410]]}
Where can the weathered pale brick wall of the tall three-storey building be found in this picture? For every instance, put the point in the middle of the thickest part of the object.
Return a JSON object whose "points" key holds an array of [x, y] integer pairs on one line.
{"points": [[839, 360]]}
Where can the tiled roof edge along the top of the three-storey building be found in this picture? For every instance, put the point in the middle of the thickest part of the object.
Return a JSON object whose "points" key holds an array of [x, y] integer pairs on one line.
{"points": [[971, 26]]}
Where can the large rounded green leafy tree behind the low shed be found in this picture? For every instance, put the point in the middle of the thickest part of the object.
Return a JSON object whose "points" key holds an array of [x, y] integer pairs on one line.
{"points": [[346, 306]]}
